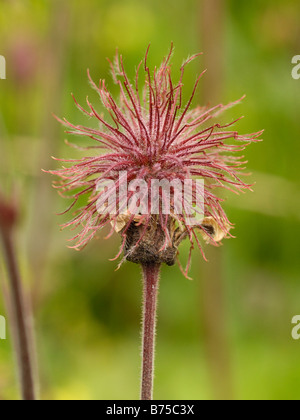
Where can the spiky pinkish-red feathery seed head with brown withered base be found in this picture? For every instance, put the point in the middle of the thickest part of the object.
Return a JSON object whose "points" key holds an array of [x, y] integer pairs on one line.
{"points": [[151, 134]]}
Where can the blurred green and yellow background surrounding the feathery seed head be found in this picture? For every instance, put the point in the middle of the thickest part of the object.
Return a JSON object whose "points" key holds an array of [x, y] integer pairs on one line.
{"points": [[227, 333]]}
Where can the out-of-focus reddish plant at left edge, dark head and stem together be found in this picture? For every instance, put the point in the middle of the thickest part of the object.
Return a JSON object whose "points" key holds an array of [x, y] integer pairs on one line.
{"points": [[17, 304]]}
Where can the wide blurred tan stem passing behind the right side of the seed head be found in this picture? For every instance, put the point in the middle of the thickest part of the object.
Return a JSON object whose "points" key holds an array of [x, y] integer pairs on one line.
{"points": [[211, 23]]}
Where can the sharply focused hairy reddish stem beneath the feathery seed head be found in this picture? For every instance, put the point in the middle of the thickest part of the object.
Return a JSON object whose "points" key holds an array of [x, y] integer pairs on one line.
{"points": [[150, 284]]}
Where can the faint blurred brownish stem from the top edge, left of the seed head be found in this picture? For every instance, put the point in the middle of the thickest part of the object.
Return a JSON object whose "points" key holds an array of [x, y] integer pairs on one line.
{"points": [[52, 71]]}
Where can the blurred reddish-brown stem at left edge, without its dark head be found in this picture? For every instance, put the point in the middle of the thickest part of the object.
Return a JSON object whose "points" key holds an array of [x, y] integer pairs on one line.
{"points": [[20, 318]]}
